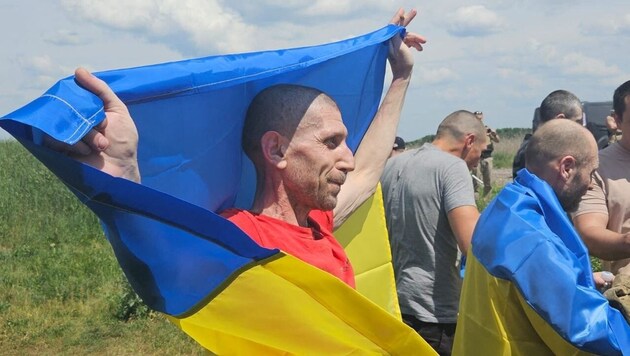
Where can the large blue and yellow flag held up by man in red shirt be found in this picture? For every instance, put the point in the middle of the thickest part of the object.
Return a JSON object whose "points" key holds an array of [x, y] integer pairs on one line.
{"points": [[217, 285]]}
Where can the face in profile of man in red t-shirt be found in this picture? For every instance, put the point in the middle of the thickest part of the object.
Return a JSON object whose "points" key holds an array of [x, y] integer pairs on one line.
{"points": [[318, 158]]}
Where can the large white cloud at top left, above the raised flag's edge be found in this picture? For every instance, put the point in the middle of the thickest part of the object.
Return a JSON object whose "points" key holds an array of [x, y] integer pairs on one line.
{"points": [[197, 25]]}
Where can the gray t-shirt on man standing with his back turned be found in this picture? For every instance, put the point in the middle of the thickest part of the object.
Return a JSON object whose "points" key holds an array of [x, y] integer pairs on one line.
{"points": [[419, 188]]}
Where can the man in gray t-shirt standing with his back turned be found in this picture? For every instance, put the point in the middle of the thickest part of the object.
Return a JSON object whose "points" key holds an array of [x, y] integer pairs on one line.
{"points": [[431, 214]]}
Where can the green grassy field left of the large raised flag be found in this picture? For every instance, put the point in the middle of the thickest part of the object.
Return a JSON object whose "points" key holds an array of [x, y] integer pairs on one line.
{"points": [[62, 291]]}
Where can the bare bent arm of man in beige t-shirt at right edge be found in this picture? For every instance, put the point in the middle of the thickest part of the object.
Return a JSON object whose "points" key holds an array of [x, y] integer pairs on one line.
{"points": [[601, 242]]}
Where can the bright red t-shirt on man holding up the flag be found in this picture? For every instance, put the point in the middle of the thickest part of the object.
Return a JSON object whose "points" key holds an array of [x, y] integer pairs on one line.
{"points": [[314, 245]]}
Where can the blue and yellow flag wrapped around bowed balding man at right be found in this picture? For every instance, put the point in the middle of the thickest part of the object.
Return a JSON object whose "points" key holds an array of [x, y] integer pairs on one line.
{"points": [[528, 287]]}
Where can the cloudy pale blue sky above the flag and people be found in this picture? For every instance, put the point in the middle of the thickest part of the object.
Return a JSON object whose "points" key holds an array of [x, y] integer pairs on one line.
{"points": [[499, 56]]}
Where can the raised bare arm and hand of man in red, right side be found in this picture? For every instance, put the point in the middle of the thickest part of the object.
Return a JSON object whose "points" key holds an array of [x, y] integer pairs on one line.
{"points": [[372, 154]]}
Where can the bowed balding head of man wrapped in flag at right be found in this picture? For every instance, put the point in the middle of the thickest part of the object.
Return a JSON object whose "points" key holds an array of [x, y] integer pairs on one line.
{"points": [[564, 154]]}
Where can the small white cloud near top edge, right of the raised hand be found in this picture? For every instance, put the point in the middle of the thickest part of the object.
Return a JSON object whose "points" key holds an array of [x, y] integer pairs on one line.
{"points": [[475, 20]]}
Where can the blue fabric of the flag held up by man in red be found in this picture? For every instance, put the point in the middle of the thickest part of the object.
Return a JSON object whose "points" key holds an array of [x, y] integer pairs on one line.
{"points": [[190, 116]]}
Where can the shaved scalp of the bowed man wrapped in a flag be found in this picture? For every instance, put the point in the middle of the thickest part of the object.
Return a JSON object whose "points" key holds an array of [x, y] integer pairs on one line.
{"points": [[556, 139]]}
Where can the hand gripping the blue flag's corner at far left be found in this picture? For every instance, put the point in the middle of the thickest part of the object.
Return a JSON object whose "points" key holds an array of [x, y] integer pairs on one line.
{"points": [[112, 145]]}
